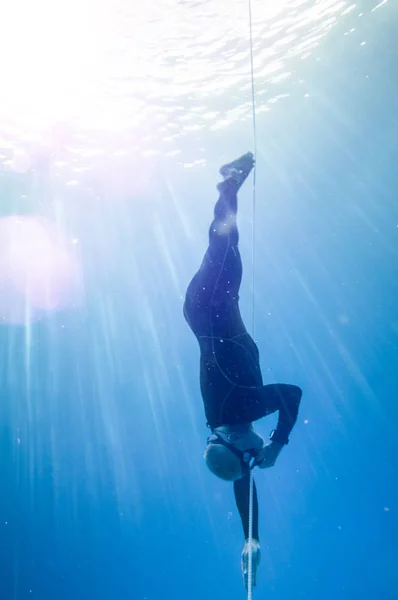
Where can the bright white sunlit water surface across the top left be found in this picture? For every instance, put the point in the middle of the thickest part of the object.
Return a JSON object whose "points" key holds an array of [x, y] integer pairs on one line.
{"points": [[86, 61]]}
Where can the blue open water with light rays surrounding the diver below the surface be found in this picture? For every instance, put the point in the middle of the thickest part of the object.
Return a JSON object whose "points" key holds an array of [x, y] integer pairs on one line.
{"points": [[104, 493]]}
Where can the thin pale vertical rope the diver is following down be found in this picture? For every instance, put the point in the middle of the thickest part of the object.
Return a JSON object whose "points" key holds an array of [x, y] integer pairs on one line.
{"points": [[251, 481]]}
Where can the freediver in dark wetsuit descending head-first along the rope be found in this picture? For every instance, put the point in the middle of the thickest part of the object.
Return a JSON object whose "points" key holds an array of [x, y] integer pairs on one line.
{"points": [[231, 382]]}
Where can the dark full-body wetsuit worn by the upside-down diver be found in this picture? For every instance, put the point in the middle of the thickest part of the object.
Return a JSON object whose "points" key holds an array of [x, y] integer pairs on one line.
{"points": [[230, 375]]}
